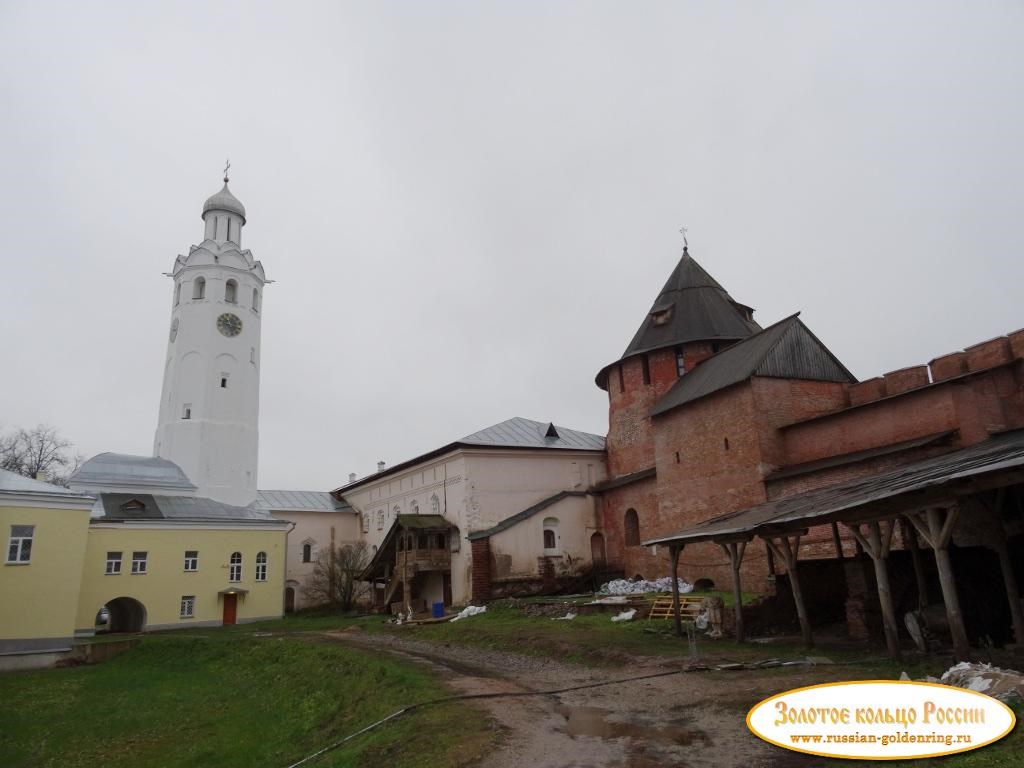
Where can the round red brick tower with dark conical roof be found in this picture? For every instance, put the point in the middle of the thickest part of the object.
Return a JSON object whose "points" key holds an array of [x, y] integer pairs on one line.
{"points": [[692, 319]]}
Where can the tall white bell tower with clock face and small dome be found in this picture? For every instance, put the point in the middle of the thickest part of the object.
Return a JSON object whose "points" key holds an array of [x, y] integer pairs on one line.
{"points": [[209, 408]]}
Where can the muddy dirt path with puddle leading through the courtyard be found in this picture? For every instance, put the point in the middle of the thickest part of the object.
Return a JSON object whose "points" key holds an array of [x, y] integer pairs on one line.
{"points": [[689, 719]]}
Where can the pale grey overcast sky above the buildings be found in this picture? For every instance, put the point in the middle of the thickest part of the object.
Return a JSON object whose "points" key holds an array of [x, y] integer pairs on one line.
{"points": [[470, 207]]}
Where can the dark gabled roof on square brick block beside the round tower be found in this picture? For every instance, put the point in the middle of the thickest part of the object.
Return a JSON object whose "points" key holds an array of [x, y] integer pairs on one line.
{"points": [[786, 351]]}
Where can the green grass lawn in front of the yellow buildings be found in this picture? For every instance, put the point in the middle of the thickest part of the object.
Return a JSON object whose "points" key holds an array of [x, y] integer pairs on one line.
{"points": [[233, 699]]}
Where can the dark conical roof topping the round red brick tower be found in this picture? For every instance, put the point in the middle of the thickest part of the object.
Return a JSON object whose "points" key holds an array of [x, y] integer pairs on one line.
{"points": [[700, 310]]}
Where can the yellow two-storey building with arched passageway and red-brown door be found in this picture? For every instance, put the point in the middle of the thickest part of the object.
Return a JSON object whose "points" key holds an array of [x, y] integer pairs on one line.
{"points": [[161, 563]]}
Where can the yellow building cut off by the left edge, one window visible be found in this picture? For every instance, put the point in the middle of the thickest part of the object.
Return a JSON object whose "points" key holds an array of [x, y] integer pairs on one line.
{"points": [[46, 529]]}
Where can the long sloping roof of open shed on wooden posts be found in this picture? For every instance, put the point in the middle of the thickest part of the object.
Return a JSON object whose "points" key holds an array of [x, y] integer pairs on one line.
{"points": [[826, 505]]}
